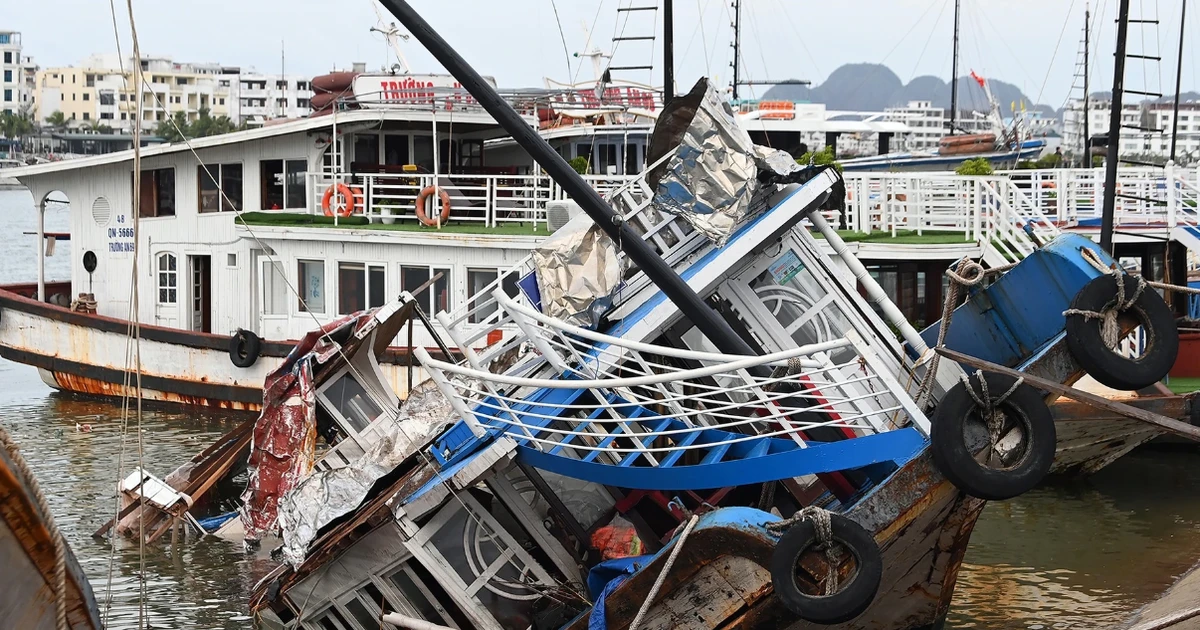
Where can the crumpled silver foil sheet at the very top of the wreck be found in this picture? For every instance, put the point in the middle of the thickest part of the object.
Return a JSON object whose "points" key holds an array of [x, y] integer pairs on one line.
{"points": [[712, 175]]}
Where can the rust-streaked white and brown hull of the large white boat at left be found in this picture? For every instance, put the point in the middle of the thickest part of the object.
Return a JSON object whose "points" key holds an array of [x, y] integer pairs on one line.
{"points": [[87, 355]]}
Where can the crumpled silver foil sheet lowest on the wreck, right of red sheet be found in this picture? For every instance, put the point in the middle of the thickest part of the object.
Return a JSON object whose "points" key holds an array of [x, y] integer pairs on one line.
{"points": [[328, 495]]}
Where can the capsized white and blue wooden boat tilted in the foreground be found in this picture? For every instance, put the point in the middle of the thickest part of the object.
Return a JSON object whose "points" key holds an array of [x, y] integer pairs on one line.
{"points": [[603, 461]]}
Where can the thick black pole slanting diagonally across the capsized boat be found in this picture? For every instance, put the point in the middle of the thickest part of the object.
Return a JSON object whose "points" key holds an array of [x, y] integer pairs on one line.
{"points": [[692, 305]]}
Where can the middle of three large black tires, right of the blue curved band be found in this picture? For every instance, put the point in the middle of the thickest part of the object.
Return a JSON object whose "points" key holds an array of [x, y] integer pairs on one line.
{"points": [[956, 459]]}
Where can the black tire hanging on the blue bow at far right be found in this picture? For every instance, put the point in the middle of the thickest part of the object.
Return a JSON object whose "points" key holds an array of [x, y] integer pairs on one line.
{"points": [[1089, 350]]}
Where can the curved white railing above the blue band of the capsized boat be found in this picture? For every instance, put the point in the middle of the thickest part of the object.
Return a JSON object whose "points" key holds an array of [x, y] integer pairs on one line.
{"points": [[641, 393]]}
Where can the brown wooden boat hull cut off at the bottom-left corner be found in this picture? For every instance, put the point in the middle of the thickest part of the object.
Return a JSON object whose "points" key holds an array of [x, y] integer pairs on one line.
{"points": [[29, 562]]}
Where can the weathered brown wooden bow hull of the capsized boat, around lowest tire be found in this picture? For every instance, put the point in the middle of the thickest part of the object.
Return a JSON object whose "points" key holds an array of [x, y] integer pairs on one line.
{"points": [[921, 521]]}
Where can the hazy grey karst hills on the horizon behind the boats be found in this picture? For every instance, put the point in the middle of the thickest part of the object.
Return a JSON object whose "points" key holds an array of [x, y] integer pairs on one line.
{"points": [[874, 87]]}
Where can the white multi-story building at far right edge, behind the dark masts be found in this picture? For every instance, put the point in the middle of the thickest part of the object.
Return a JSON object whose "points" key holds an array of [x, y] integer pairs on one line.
{"points": [[1153, 139]]}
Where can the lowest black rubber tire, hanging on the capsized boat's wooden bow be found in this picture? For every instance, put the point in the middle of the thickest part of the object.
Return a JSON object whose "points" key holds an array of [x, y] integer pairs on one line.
{"points": [[851, 599]]}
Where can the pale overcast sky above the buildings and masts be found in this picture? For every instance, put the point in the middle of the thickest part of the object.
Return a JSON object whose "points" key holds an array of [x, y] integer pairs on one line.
{"points": [[1033, 44]]}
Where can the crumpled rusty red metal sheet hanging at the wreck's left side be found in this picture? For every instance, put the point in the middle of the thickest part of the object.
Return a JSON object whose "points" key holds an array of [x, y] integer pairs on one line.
{"points": [[284, 447]]}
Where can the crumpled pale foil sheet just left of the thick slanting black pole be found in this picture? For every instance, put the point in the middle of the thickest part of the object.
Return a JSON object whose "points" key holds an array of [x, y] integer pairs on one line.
{"points": [[579, 273]]}
